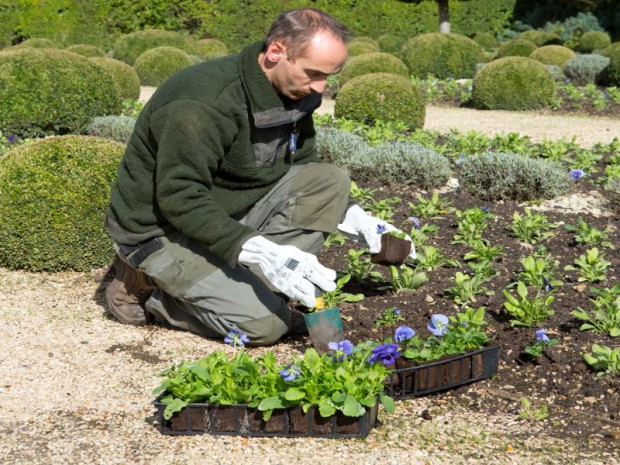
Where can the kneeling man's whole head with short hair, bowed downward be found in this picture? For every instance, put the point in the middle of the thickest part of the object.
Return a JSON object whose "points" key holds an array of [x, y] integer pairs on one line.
{"points": [[304, 47]]}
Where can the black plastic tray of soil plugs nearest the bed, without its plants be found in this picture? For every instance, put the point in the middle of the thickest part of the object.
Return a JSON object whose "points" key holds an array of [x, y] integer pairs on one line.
{"points": [[411, 379]]}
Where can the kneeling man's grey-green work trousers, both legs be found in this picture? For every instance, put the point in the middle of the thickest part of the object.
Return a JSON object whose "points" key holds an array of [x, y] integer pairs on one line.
{"points": [[199, 292]]}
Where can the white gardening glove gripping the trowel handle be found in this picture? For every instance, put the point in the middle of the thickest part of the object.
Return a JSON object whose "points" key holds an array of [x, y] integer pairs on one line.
{"points": [[291, 271]]}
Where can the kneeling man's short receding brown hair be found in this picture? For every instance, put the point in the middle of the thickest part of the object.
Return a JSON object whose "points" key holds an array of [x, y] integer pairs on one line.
{"points": [[295, 28]]}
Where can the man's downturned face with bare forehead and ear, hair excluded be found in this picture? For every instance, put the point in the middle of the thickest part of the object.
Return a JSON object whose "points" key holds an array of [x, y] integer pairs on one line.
{"points": [[308, 73]]}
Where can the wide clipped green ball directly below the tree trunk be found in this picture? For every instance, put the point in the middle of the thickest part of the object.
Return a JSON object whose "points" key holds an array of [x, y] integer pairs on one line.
{"points": [[441, 55]]}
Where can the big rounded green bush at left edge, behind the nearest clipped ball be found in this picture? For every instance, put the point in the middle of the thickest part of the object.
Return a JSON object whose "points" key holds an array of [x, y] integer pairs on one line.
{"points": [[50, 91]]}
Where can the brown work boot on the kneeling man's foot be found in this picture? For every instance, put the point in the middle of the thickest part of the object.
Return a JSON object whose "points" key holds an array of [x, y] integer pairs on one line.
{"points": [[127, 293]]}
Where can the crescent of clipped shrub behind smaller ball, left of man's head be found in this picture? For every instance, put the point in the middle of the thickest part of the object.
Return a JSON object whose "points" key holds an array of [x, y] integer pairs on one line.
{"points": [[129, 47]]}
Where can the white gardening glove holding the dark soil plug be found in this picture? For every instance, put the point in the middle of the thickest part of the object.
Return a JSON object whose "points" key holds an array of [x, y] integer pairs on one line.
{"points": [[367, 230]]}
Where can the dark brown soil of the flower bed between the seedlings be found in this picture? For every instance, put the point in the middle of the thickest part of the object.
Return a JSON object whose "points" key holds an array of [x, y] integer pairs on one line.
{"points": [[580, 404]]}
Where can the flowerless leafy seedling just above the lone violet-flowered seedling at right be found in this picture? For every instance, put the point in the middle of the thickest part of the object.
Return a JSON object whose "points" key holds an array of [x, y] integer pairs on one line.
{"points": [[525, 310]]}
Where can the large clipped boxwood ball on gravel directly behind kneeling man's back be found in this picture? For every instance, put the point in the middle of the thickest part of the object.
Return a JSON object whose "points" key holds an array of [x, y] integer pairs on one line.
{"points": [[53, 196]]}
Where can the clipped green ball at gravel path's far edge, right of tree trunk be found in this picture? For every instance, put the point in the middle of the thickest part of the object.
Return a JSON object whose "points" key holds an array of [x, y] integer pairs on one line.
{"points": [[513, 83]]}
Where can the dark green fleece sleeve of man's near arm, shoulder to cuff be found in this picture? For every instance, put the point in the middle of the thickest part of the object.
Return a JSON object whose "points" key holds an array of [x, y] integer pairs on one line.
{"points": [[192, 139]]}
